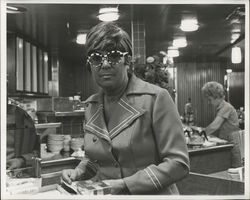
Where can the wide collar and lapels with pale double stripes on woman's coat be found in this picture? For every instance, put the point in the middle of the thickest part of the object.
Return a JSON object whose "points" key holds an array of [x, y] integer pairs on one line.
{"points": [[124, 113]]}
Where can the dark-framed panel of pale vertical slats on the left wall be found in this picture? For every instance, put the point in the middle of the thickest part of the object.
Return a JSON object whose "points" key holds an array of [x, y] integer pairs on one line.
{"points": [[27, 66]]}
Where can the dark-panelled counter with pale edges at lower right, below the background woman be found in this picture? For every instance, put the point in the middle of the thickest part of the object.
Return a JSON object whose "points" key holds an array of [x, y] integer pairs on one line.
{"points": [[209, 173]]}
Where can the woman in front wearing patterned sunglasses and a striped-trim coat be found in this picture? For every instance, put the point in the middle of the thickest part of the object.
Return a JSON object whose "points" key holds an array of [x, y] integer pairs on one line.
{"points": [[134, 138]]}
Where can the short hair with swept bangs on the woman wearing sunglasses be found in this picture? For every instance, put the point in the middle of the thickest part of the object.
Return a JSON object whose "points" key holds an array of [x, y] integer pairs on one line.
{"points": [[108, 36]]}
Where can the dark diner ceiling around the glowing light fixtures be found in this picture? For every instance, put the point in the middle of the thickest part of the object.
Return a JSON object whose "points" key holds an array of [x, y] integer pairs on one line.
{"points": [[54, 26]]}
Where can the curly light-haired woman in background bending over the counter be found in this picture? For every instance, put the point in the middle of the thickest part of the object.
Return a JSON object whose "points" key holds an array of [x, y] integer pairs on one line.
{"points": [[226, 123]]}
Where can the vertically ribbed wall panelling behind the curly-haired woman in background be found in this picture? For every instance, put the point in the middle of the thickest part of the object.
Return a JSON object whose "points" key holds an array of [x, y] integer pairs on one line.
{"points": [[190, 79]]}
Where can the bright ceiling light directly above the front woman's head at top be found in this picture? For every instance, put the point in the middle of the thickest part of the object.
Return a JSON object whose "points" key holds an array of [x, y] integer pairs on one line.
{"points": [[108, 14]]}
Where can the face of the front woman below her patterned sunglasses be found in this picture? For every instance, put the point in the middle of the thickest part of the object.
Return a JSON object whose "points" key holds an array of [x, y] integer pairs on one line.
{"points": [[110, 76]]}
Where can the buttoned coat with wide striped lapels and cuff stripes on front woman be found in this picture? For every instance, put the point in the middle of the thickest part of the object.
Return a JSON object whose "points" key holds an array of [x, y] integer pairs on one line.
{"points": [[143, 142]]}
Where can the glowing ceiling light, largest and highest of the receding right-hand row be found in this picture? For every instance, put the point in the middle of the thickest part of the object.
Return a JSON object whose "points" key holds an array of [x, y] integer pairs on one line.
{"points": [[189, 22]]}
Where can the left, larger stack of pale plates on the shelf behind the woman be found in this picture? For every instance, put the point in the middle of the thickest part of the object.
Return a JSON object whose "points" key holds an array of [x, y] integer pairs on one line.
{"points": [[55, 143]]}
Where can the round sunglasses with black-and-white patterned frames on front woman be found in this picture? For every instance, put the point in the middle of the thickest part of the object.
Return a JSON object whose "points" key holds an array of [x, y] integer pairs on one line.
{"points": [[113, 57]]}
